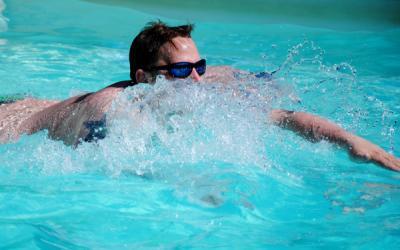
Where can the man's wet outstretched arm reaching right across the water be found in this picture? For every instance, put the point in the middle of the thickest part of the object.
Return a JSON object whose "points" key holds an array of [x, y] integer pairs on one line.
{"points": [[315, 128]]}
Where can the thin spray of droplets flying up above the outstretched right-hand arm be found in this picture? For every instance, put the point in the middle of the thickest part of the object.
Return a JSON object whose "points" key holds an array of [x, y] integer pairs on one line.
{"points": [[314, 82]]}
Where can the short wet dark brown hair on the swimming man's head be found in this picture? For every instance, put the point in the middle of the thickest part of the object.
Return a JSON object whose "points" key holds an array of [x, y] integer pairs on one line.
{"points": [[146, 45]]}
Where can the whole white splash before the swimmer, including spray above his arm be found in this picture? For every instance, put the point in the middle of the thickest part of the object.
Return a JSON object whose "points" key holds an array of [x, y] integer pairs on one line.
{"points": [[185, 124]]}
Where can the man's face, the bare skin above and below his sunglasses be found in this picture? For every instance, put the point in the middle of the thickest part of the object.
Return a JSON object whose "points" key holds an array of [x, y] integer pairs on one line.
{"points": [[183, 49]]}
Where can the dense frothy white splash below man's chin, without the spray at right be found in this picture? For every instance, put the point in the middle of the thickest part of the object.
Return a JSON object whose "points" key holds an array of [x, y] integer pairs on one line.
{"points": [[198, 139]]}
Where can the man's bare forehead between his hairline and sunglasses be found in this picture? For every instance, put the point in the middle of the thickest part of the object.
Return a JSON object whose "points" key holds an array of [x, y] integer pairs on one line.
{"points": [[181, 49]]}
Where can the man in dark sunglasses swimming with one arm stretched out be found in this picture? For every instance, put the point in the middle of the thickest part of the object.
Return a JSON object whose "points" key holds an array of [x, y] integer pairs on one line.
{"points": [[169, 51]]}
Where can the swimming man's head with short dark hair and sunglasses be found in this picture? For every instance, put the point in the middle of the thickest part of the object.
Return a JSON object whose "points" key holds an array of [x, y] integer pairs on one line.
{"points": [[158, 47]]}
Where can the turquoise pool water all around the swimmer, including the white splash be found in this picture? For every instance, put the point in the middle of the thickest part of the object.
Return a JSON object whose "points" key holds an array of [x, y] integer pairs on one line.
{"points": [[203, 169]]}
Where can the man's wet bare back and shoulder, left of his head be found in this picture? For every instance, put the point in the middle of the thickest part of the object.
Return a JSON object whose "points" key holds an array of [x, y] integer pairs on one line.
{"points": [[64, 120]]}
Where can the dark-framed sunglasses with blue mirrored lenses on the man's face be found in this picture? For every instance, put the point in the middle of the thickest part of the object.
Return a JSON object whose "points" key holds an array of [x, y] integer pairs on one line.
{"points": [[183, 69]]}
